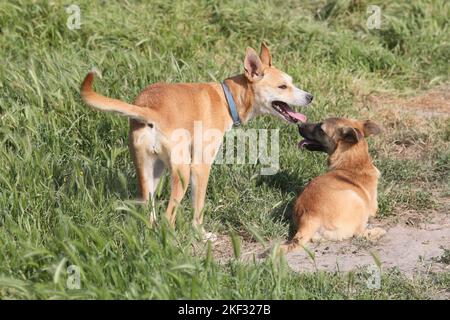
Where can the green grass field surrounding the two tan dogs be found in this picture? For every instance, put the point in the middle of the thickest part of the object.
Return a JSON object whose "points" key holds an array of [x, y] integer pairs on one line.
{"points": [[67, 182]]}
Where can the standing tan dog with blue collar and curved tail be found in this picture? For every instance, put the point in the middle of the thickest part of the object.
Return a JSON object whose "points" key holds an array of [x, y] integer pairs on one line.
{"points": [[162, 110]]}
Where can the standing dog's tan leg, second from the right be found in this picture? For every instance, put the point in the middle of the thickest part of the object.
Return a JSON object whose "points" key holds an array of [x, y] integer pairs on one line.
{"points": [[179, 183]]}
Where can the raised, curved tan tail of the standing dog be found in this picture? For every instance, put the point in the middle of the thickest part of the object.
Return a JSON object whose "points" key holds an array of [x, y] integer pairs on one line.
{"points": [[102, 103]]}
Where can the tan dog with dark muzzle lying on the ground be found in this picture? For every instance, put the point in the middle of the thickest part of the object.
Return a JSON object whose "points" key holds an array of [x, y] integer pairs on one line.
{"points": [[337, 205]]}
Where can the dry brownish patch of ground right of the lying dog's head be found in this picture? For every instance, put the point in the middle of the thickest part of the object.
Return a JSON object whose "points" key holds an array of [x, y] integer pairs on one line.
{"points": [[410, 125]]}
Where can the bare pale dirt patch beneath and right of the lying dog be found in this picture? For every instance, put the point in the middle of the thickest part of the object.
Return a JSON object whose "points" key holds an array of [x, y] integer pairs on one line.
{"points": [[409, 249]]}
